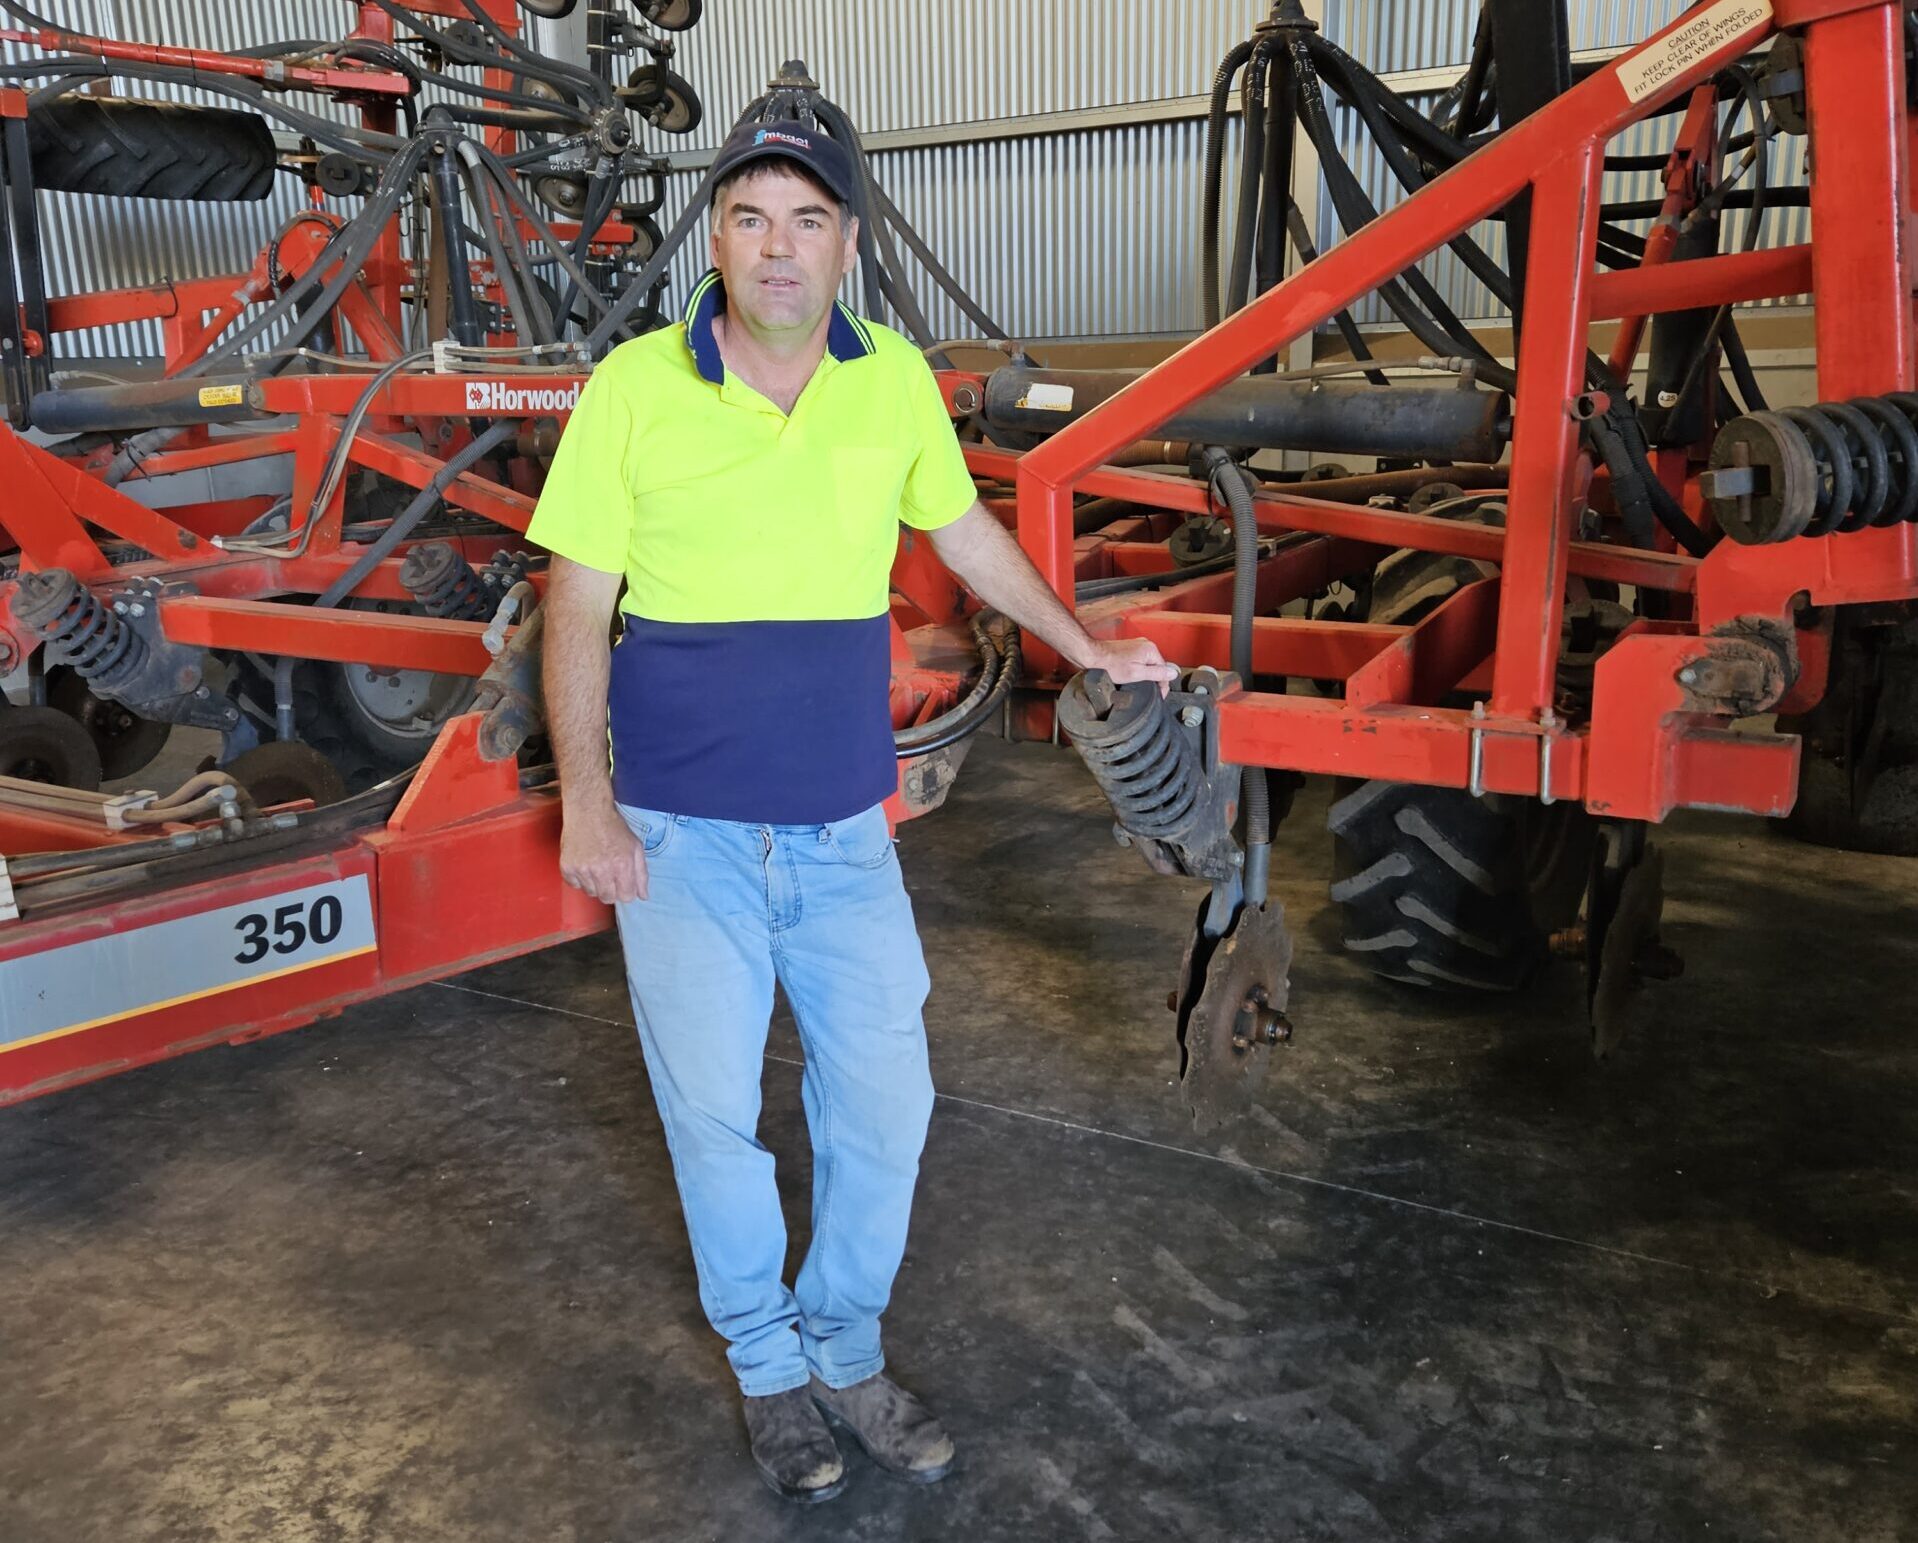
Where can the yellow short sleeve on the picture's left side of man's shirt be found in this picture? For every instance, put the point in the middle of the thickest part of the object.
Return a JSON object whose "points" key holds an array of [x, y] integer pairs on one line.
{"points": [[586, 508]]}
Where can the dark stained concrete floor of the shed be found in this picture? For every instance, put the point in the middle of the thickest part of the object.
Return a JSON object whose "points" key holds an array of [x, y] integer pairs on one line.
{"points": [[419, 1273]]}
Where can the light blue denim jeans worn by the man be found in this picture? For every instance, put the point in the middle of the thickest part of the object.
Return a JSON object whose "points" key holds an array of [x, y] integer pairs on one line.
{"points": [[822, 911]]}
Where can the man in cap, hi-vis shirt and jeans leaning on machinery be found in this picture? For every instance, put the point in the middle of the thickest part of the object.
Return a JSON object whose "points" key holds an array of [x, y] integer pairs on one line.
{"points": [[745, 475]]}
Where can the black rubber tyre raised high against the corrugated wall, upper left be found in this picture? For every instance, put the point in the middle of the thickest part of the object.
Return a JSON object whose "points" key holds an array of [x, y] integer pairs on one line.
{"points": [[151, 151]]}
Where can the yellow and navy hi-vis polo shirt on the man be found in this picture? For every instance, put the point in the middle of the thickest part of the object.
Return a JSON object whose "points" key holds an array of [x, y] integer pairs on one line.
{"points": [[751, 680]]}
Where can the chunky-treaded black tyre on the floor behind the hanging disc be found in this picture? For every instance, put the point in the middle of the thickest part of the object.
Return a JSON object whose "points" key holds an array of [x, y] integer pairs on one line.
{"points": [[1449, 891]]}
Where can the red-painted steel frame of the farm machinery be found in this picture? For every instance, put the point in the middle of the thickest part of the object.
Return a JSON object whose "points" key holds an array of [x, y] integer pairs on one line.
{"points": [[1658, 736]]}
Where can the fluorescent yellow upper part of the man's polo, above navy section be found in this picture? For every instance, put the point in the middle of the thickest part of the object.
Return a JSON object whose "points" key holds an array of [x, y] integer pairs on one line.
{"points": [[720, 510]]}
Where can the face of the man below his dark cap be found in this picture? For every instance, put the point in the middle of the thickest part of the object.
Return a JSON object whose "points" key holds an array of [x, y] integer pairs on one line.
{"points": [[782, 252]]}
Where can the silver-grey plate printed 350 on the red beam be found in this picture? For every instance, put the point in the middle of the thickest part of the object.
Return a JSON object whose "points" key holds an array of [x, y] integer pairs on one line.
{"points": [[95, 982]]}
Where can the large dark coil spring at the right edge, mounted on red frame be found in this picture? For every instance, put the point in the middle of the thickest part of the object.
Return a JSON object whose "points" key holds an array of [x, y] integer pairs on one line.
{"points": [[1821, 471]]}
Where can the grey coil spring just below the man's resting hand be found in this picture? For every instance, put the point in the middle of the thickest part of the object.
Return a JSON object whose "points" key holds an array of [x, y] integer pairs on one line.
{"points": [[1134, 749]]}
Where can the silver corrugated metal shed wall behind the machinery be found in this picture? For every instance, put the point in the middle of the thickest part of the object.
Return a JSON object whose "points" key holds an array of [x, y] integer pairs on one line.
{"points": [[1087, 233]]}
